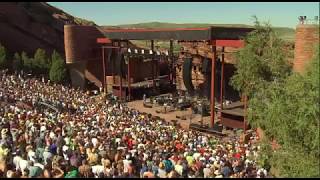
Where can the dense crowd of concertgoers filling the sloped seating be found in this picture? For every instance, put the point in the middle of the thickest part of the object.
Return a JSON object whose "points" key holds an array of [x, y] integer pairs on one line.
{"points": [[97, 137]]}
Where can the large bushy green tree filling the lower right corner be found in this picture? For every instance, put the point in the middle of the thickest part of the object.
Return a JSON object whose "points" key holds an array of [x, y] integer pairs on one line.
{"points": [[289, 113]]}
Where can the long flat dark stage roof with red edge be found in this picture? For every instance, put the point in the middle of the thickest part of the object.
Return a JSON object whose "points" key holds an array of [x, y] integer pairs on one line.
{"points": [[181, 34]]}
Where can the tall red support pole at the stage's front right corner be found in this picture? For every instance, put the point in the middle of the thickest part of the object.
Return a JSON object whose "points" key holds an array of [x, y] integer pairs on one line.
{"points": [[213, 44]]}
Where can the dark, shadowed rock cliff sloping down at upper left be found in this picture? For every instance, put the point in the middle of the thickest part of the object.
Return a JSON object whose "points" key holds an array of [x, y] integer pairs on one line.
{"points": [[26, 26]]}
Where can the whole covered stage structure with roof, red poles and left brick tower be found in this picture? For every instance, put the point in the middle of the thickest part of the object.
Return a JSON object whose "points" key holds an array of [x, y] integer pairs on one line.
{"points": [[124, 69]]}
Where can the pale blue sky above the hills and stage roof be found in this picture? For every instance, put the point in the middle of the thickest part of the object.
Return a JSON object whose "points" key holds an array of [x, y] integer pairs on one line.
{"points": [[280, 14]]}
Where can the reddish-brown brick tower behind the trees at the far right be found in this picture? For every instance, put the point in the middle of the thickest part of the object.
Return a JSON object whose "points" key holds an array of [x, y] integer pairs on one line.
{"points": [[307, 35]]}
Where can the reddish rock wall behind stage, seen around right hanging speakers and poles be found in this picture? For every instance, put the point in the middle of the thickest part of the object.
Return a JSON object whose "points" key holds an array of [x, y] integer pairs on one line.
{"points": [[199, 52]]}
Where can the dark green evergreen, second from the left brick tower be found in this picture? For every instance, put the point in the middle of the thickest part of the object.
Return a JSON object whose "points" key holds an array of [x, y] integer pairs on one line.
{"points": [[40, 62]]}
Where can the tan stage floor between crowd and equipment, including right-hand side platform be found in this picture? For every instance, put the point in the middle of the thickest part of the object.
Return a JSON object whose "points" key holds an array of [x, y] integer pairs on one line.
{"points": [[232, 117]]}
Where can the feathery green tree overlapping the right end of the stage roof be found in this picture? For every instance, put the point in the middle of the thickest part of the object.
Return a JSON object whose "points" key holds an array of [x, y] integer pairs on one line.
{"points": [[261, 61]]}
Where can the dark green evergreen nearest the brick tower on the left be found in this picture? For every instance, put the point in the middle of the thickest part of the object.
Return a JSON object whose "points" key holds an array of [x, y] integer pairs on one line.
{"points": [[58, 68]]}
